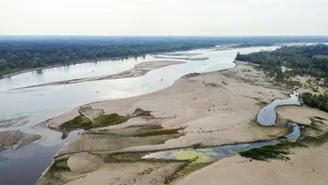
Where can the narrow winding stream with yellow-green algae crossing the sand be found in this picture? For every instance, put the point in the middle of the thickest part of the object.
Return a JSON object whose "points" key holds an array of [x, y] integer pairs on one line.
{"points": [[266, 117]]}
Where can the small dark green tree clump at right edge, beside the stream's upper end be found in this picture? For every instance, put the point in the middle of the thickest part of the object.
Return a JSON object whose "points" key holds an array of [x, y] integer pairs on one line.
{"points": [[319, 101]]}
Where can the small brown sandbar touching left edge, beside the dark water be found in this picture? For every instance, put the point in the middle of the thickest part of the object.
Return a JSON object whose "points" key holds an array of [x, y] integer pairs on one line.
{"points": [[9, 139]]}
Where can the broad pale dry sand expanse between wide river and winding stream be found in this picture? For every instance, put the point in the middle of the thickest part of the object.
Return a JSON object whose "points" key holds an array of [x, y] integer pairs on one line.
{"points": [[214, 108]]}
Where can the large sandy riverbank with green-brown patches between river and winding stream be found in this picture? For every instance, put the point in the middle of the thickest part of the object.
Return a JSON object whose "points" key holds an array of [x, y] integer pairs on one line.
{"points": [[211, 109]]}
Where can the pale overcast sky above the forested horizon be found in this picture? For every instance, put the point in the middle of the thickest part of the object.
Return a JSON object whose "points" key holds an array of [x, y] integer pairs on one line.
{"points": [[162, 17]]}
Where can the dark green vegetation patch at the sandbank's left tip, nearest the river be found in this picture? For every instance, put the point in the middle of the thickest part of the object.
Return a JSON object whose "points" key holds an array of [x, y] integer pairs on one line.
{"points": [[80, 122]]}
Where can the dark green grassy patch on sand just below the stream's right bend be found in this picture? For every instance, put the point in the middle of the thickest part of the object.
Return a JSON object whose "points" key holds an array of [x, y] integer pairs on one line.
{"points": [[266, 153]]}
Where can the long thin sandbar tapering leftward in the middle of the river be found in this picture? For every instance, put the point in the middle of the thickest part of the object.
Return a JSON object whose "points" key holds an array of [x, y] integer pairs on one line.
{"points": [[138, 70]]}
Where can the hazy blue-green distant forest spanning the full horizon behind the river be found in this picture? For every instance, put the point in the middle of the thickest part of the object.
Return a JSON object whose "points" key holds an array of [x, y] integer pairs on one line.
{"points": [[19, 53]]}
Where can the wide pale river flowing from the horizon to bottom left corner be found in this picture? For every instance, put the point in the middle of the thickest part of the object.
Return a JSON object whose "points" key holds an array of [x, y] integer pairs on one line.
{"points": [[35, 105]]}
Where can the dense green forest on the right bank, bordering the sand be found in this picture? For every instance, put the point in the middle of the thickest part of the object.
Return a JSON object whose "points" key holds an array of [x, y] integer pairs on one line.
{"points": [[301, 60]]}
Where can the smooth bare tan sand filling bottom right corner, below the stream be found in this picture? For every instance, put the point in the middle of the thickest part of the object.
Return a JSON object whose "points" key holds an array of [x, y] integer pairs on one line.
{"points": [[308, 166]]}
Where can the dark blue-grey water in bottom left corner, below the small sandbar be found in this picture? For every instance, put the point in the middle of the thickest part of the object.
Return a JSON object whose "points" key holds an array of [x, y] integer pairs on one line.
{"points": [[26, 164]]}
